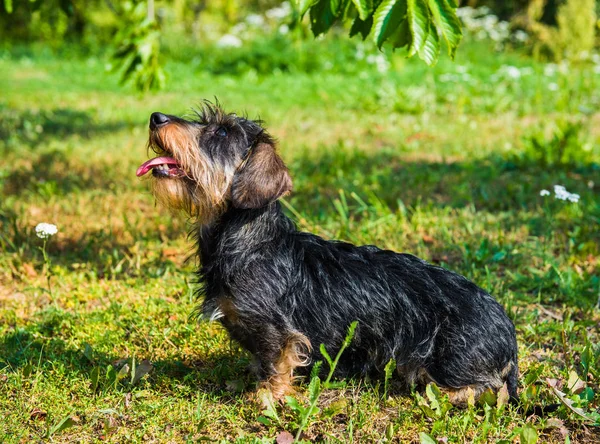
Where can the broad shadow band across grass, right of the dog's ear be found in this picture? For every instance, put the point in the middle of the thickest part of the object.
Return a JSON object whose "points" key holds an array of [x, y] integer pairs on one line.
{"points": [[492, 184]]}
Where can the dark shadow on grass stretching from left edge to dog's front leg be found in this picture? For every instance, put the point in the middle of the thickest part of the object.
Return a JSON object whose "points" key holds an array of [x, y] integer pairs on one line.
{"points": [[39, 347]]}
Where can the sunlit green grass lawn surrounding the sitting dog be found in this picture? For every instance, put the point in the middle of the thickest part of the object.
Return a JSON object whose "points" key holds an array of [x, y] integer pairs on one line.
{"points": [[429, 161]]}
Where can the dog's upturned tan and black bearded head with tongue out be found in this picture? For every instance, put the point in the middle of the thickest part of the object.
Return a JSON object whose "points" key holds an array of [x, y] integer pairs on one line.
{"points": [[218, 160]]}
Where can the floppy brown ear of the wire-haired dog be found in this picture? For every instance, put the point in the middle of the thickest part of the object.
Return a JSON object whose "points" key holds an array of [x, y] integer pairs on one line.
{"points": [[263, 179]]}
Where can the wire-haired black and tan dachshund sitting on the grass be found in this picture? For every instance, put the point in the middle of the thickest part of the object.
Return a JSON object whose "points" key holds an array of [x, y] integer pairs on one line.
{"points": [[281, 292]]}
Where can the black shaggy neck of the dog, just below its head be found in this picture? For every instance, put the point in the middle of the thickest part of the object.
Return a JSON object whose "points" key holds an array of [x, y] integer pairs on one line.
{"points": [[238, 233]]}
